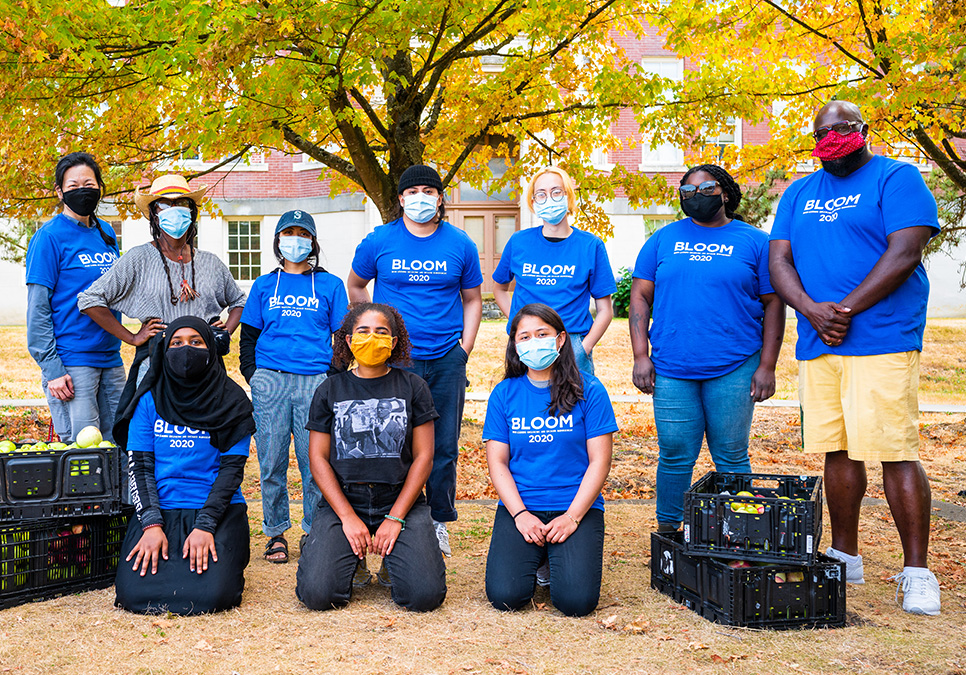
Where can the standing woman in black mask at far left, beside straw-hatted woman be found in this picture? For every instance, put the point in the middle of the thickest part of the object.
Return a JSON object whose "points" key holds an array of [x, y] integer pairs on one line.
{"points": [[80, 364]]}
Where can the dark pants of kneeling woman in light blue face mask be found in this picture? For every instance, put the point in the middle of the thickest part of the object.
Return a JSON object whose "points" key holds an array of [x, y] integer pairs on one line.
{"points": [[575, 564]]}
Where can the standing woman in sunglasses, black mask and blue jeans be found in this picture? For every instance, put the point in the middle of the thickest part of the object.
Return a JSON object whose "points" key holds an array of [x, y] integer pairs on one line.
{"points": [[716, 332]]}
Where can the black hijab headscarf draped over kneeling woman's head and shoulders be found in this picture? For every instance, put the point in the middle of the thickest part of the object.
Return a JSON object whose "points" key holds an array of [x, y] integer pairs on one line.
{"points": [[211, 402]]}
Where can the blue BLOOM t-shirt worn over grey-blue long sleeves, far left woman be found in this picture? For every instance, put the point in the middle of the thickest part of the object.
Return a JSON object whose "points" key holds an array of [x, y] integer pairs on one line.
{"points": [[67, 258]]}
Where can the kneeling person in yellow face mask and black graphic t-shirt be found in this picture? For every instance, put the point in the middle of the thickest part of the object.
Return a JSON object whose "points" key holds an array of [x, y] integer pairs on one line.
{"points": [[371, 452]]}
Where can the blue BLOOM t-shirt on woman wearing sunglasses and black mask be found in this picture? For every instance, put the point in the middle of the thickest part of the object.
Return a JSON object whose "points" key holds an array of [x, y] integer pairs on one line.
{"points": [[707, 314]]}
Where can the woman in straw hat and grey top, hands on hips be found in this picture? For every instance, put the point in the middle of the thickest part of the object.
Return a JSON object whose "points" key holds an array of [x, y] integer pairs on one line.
{"points": [[166, 278]]}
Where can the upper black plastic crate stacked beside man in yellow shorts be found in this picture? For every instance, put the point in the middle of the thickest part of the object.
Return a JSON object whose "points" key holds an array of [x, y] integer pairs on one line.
{"points": [[784, 524]]}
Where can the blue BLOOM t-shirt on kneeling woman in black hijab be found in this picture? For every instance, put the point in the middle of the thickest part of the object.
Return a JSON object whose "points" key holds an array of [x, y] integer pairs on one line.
{"points": [[185, 462]]}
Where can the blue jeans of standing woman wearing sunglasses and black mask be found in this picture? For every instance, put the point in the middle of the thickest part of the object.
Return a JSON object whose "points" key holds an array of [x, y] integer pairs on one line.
{"points": [[685, 411]]}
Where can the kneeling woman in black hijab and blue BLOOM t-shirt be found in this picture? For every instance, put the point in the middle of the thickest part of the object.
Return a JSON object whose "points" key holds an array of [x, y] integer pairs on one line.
{"points": [[187, 433]]}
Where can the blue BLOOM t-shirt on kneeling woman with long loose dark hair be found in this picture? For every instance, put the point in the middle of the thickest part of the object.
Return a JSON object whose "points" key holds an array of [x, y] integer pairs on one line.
{"points": [[548, 455]]}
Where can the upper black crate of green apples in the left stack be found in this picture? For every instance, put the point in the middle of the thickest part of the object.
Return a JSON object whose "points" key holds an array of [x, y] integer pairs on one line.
{"points": [[59, 483]]}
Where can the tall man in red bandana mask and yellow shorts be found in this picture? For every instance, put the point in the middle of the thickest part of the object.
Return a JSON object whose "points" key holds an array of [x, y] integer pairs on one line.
{"points": [[846, 253]]}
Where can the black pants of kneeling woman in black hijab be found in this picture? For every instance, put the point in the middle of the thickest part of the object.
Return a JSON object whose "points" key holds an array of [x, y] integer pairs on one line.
{"points": [[175, 588]]}
